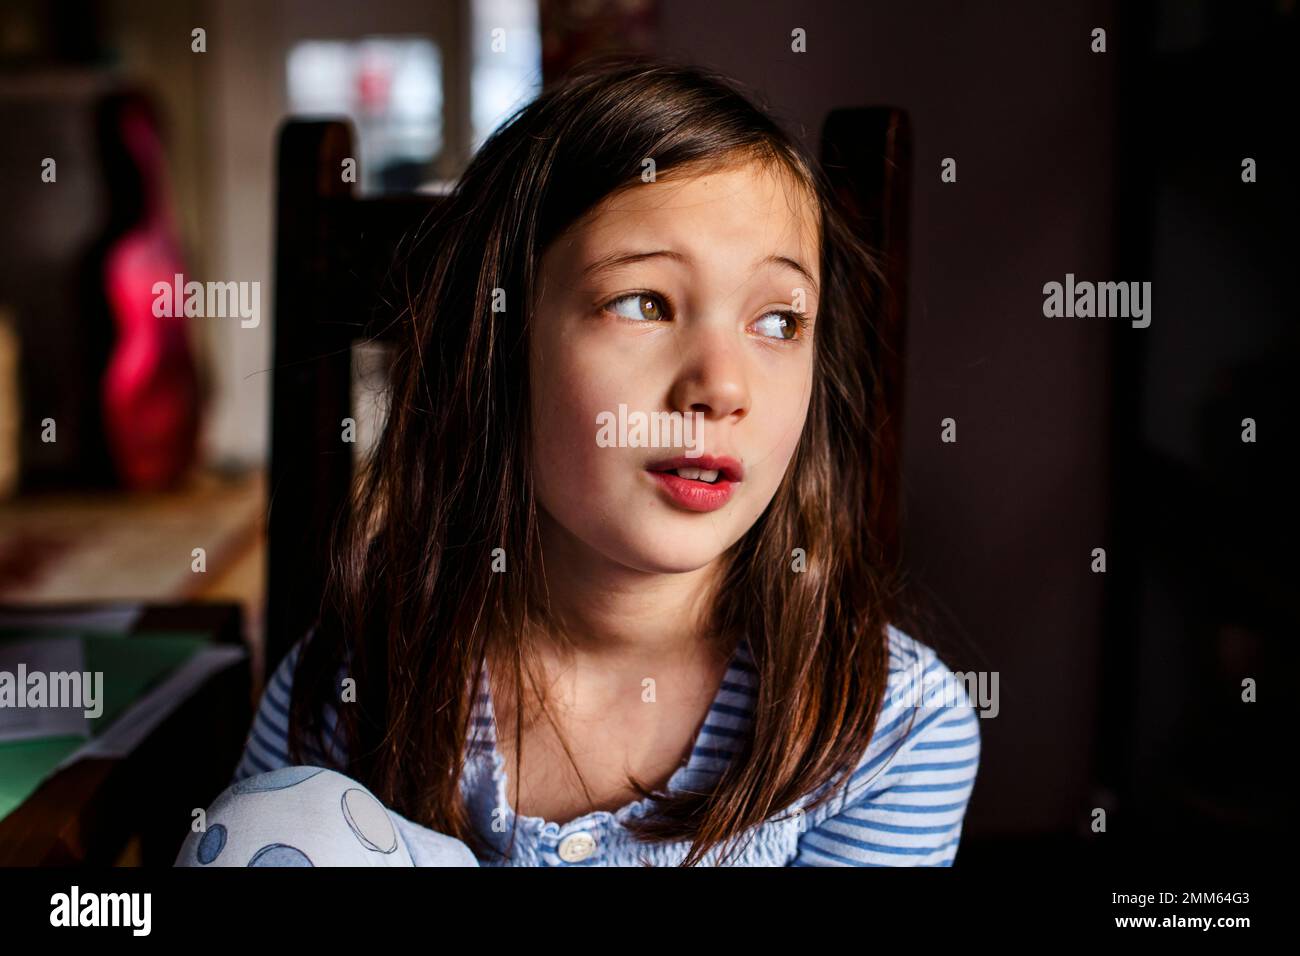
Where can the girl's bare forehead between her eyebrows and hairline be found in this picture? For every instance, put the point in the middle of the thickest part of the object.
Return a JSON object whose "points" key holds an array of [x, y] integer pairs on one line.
{"points": [[742, 210]]}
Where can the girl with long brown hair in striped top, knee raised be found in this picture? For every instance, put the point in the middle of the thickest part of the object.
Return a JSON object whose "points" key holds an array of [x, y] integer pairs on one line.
{"points": [[541, 647]]}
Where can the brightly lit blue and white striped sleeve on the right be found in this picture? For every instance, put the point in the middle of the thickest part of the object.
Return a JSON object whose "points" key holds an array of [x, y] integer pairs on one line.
{"points": [[907, 799]]}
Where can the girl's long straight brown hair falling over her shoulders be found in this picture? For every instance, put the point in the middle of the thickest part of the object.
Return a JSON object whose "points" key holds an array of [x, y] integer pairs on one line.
{"points": [[411, 602]]}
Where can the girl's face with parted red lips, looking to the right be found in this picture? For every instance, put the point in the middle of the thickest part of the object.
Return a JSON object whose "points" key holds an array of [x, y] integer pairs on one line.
{"points": [[674, 297]]}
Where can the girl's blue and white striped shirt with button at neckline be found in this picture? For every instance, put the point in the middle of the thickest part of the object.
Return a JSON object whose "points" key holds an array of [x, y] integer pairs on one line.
{"points": [[904, 806]]}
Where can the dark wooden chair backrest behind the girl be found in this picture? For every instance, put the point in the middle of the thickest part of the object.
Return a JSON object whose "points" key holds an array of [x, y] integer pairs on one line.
{"points": [[335, 263]]}
